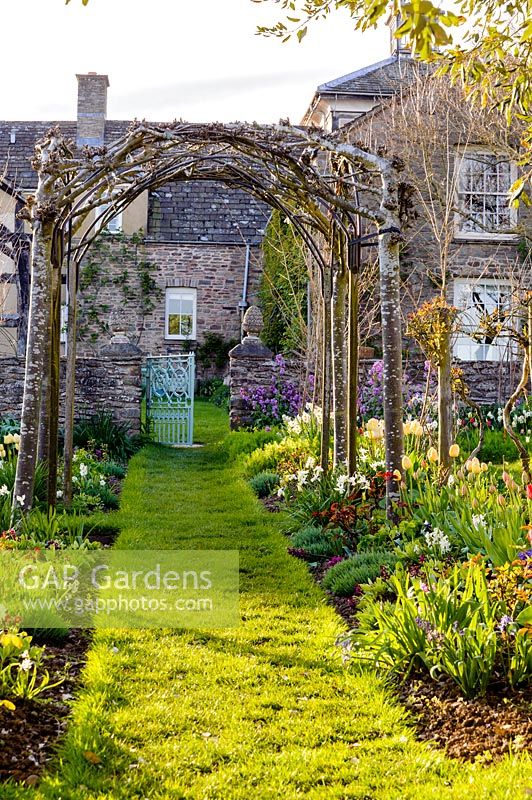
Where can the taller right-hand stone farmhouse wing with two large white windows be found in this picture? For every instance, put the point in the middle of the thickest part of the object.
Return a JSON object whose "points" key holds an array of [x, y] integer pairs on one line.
{"points": [[460, 229]]}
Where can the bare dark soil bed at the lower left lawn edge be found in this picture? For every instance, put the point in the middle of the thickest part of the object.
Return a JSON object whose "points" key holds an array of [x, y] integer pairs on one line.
{"points": [[29, 735]]}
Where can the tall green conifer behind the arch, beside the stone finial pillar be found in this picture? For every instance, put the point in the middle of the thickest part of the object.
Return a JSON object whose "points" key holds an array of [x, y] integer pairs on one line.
{"points": [[283, 288]]}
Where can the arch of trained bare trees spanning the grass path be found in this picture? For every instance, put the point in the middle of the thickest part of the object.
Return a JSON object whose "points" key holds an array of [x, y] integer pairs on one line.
{"points": [[311, 178]]}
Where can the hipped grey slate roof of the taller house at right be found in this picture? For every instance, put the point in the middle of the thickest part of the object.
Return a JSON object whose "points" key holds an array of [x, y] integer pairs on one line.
{"points": [[381, 79]]}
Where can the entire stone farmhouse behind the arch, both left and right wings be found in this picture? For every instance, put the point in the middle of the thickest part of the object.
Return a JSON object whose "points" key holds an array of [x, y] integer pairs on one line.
{"points": [[199, 243]]}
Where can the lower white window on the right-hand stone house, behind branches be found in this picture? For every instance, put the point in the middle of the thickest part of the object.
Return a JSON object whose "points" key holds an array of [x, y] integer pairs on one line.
{"points": [[476, 298]]}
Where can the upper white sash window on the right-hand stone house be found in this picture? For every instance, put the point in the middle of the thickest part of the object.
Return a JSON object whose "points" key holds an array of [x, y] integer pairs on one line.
{"points": [[484, 180]]}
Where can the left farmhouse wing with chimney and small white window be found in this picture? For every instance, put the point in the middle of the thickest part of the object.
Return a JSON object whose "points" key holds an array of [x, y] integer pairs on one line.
{"points": [[200, 240]]}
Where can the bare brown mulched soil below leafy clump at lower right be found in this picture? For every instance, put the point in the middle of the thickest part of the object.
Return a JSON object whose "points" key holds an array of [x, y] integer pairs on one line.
{"points": [[482, 730]]}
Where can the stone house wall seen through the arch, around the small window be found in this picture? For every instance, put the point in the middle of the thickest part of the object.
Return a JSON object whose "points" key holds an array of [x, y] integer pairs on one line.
{"points": [[215, 271]]}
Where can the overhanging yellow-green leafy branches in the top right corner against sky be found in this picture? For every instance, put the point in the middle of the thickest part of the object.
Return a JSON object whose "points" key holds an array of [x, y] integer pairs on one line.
{"points": [[486, 45]]}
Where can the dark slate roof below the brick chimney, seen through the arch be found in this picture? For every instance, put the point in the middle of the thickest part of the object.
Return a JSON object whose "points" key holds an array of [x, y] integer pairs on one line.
{"points": [[180, 212]]}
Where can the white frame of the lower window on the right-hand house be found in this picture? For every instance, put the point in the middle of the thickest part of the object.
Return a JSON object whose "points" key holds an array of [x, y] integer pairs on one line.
{"points": [[465, 347]]}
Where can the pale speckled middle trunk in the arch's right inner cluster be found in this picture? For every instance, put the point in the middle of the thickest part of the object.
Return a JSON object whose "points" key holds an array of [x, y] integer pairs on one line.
{"points": [[338, 363]]}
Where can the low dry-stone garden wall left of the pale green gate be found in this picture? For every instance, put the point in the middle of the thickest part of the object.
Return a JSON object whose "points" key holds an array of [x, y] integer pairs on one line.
{"points": [[103, 383]]}
